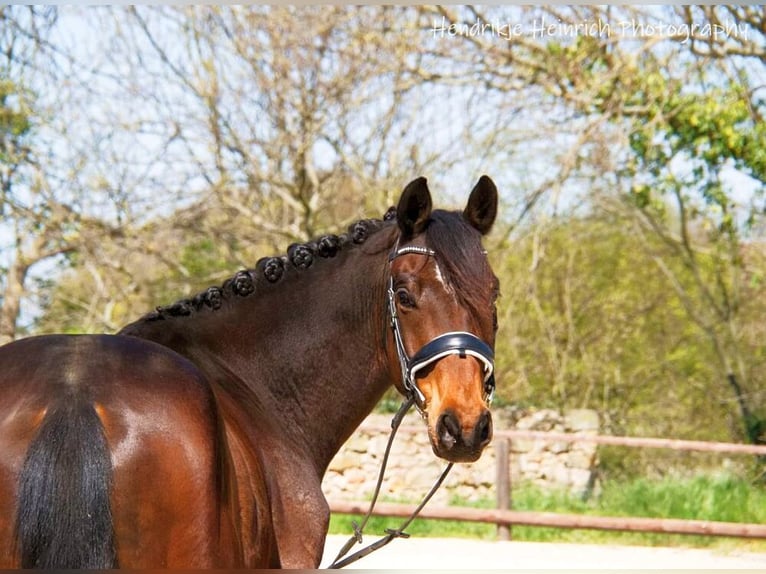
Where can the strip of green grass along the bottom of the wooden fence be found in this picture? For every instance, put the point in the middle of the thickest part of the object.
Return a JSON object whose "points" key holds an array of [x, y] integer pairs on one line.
{"points": [[716, 498]]}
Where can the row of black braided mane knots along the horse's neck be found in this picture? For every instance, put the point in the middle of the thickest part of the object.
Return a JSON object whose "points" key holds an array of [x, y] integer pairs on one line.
{"points": [[299, 256]]}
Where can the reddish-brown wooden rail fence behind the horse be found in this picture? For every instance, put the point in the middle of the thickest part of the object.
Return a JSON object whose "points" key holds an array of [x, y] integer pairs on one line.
{"points": [[504, 518]]}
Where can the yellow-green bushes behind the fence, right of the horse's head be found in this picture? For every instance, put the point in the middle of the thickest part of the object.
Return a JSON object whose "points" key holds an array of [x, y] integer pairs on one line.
{"points": [[588, 319]]}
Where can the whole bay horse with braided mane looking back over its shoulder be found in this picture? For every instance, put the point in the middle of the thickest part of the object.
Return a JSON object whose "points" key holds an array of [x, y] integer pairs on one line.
{"points": [[198, 435]]}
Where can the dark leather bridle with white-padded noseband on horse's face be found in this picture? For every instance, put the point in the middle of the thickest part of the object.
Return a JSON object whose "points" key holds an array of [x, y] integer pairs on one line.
{"points": [[459, 343]]}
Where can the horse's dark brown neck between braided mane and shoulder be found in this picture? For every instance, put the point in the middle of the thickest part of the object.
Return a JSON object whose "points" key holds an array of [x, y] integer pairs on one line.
{"points": [[310, 351]]}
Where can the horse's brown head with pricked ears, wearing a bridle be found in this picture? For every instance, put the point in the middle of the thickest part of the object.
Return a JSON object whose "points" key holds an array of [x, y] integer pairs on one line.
{"points": [[442, 304]]}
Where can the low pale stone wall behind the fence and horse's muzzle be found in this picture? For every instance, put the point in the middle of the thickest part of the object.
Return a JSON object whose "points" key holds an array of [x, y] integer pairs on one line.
{"points": [[413, 468]]}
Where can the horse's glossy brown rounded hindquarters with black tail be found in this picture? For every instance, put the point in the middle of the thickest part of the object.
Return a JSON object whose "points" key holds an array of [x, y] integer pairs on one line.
{"points": [[162, 452]]}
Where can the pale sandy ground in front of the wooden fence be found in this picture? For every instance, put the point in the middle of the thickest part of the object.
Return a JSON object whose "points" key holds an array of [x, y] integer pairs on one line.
{"points": [[472, 555]]}
